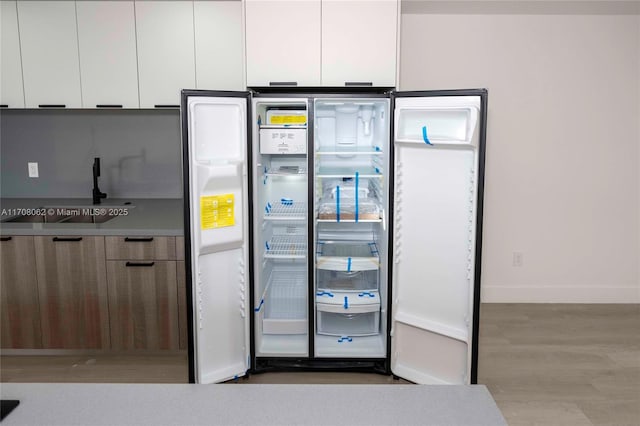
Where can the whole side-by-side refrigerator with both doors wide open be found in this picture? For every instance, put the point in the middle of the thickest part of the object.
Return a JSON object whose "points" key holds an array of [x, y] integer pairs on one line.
{"points": [[333, 230]]}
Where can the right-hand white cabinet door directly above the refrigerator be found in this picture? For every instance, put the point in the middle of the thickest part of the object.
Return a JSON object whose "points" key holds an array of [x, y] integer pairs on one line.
{"points": [[359, 42]]}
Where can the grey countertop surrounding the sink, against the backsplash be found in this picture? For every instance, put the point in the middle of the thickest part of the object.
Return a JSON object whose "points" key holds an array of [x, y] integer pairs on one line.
{"points": [[161, 216]]}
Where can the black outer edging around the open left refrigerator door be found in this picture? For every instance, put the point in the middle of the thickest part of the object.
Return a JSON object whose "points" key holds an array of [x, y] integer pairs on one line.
{"points": [[186, 196]]}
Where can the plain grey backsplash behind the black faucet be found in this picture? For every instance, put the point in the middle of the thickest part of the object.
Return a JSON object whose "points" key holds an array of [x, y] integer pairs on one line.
{"points": [[140, 153]]}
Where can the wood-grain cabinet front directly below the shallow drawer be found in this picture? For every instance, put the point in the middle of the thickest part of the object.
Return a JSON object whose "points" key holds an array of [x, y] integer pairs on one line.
{"points": [[143, 305]]}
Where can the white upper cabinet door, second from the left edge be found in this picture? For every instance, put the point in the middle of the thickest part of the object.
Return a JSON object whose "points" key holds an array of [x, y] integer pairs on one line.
{"points": [[49, 42]]}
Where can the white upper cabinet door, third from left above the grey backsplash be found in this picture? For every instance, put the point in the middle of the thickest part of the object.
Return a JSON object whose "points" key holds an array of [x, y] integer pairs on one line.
{"points": [[107, 44]]}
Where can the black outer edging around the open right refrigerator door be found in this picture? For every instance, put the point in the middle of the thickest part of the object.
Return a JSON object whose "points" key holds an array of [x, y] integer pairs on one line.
{"points": [[483, 94]]}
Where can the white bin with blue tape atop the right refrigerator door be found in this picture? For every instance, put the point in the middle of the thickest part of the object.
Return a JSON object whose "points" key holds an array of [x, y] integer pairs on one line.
{"points": [[441, 125]]}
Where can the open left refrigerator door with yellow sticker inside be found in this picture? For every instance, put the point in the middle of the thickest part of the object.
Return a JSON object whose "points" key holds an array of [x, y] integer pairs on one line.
{"points": [[217, 209]]}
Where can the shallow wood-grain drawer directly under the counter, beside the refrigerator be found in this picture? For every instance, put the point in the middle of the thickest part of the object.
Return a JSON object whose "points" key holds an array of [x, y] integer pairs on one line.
{"points": [[140, 248]]}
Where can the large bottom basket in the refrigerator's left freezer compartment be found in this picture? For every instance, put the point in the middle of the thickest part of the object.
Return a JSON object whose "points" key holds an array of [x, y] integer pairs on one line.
{"points": [[285, 301]]}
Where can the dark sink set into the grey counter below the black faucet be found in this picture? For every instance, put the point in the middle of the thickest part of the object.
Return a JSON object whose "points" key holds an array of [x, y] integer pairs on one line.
{"points": [[73, 214]]}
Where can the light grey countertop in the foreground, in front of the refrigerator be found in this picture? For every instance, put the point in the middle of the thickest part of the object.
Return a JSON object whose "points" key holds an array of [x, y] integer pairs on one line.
{"points": [[249, 404]]}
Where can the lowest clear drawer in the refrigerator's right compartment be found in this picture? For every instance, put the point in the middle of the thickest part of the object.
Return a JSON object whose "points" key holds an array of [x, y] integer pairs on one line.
{"points": [[348, 324]]}
